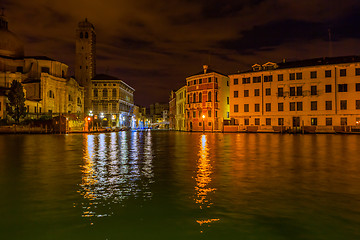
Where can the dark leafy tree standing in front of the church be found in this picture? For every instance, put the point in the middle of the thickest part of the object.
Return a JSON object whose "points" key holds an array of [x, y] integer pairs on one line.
{"points": [[16, 106]]}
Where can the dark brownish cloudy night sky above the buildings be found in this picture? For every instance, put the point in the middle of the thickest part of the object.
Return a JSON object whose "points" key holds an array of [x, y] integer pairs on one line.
{"points": [[154, 45]]}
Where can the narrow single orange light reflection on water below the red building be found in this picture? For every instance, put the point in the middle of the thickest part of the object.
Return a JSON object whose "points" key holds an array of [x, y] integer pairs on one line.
{"points": [[203, 179]]}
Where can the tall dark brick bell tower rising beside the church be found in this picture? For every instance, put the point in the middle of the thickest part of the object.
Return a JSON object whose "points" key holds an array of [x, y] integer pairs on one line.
{"points": [[85, 59]]}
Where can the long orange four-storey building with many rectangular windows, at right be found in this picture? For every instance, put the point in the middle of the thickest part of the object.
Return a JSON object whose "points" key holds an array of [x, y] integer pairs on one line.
{"points": [[314, 95]]}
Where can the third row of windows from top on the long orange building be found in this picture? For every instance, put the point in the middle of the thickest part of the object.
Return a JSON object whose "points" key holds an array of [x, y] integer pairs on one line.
{"points": [[298, 106]]}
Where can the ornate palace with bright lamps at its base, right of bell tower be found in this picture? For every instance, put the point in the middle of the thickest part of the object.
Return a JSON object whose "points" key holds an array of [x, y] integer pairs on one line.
{"points": [[112, 101]]}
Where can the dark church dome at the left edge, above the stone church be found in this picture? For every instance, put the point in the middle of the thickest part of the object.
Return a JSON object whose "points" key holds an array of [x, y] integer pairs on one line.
{"points": [[10, 44]]}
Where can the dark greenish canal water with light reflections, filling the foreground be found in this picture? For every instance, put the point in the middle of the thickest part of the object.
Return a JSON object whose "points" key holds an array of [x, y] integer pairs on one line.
{"points": [[173, 185]]}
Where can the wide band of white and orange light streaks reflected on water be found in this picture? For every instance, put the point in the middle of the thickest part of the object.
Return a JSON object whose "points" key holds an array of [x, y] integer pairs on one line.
{"points": [[116, 167]]}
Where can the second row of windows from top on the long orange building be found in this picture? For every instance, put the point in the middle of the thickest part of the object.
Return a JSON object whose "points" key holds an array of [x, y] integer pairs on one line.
{"points": [[298, 91]]}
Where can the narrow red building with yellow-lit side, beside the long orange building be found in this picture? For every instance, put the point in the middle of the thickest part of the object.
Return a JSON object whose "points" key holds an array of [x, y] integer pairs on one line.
{"points": [[207, 100]]}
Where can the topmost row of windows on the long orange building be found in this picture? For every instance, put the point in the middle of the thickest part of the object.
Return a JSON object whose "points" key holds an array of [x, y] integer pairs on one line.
{"points": [[293, 76]]}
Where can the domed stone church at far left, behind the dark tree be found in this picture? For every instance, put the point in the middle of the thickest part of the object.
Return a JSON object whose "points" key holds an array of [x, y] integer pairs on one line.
{"points": [[48, 90]]}
